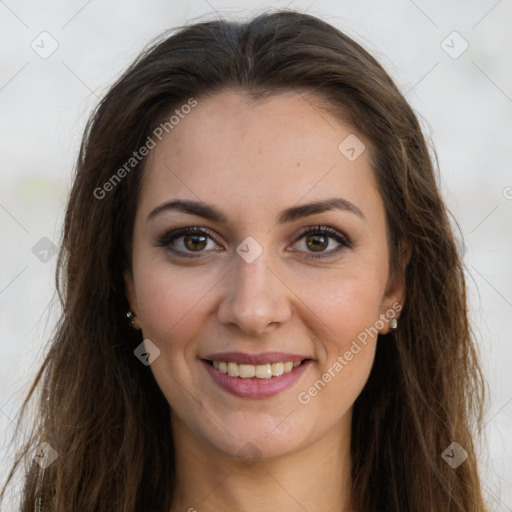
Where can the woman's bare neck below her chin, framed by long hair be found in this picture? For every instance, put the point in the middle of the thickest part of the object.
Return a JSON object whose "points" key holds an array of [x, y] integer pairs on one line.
{"points": [[316, 478]]}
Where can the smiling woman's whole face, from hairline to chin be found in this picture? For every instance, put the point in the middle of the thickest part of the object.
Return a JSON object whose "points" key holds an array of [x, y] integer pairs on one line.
{"points": [[259, 281]]}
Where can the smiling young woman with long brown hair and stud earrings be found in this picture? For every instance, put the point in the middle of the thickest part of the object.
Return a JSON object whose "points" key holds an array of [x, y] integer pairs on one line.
{"points": [[263, 303]]}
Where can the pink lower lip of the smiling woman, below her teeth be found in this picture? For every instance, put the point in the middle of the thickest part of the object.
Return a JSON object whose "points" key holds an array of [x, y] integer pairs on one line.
{"points": [[256, 388]]}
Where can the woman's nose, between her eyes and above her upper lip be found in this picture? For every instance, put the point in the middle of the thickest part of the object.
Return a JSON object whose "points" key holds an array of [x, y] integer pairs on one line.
{"points": [[256, 299]]}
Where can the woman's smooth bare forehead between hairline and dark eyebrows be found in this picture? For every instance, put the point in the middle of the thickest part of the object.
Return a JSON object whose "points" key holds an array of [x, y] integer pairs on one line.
{"points": [[264, 155]]}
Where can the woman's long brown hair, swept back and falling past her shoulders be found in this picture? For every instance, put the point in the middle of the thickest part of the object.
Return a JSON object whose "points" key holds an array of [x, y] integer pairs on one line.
{"points": [[101, 409]]}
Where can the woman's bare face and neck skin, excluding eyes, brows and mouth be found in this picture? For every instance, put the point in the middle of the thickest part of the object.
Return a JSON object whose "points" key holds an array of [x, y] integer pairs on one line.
{"points": [[252, 160]]}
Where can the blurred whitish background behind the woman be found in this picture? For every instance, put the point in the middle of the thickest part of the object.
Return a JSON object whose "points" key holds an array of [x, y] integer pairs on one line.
{"points": [[463, 98]]}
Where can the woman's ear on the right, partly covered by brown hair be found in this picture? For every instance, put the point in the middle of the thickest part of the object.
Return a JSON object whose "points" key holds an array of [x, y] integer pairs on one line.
{"points": [[394, 296]]}
